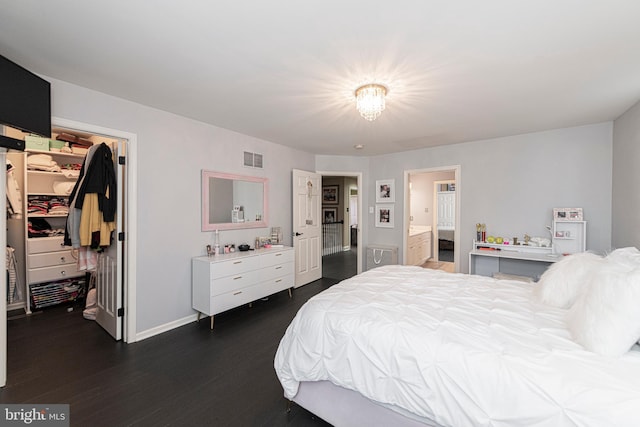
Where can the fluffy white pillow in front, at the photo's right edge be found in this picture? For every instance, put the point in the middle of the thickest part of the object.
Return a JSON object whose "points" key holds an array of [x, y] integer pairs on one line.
{"points": [[606, 318]]}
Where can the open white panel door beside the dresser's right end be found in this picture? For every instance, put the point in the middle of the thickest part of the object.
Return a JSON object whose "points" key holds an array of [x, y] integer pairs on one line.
{"points": [[307, 226]]}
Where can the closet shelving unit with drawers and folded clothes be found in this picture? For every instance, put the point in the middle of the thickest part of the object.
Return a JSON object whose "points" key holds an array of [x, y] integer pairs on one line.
{"points": [[46, 268]]}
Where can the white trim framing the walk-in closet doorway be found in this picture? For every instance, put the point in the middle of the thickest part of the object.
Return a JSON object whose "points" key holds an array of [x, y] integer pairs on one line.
{"points": [[123, 254]]}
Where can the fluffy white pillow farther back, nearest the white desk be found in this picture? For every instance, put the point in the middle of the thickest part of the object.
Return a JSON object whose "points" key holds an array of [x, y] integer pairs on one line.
{"points": [[564, 280]]}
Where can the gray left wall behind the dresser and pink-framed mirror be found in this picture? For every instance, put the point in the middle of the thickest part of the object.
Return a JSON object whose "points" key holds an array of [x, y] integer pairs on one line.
{"points": [[172, 151]]}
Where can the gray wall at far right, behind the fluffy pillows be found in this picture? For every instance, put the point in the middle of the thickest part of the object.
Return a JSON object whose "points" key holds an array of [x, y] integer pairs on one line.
{"points": [[626, 179]]}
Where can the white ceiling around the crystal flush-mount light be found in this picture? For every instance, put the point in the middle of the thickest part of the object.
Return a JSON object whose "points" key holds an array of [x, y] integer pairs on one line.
{"points": [[285, 70]]}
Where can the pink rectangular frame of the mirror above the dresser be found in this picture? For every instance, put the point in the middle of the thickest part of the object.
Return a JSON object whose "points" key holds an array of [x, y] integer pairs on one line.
{"points": [[207, 226]]}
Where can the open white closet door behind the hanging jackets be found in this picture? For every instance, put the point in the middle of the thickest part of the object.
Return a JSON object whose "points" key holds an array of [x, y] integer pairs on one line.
{"points": [[109, 274]]}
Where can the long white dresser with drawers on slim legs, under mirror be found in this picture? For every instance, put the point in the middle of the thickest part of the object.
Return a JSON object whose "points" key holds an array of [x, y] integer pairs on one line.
{"points": [[222, 282]]}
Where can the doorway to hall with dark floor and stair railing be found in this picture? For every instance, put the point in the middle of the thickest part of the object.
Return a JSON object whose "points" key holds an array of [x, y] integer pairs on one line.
{"points": [[341, 218]]}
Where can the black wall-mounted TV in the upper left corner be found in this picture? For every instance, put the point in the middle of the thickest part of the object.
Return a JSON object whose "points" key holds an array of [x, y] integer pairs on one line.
{"points": [[25, 99]]}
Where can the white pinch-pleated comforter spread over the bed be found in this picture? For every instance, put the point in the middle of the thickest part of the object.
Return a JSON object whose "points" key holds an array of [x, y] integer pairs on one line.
{"points": [[457, 349]]}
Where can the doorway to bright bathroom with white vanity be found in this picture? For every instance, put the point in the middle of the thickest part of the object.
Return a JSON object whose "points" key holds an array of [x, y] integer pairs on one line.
{"points": [[432, 200]]}
